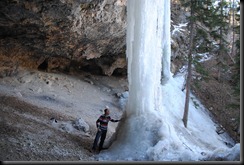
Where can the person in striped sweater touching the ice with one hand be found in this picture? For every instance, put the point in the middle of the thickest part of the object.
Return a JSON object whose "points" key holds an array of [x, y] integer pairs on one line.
{"points": [[102, 126]]}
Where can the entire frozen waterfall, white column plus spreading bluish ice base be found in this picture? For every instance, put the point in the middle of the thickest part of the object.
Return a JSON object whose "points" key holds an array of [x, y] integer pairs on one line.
{"points": [[153, 129]]}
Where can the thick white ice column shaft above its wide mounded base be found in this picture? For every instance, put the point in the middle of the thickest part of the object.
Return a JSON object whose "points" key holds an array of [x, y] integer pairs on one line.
{"points": [[144, 52]]}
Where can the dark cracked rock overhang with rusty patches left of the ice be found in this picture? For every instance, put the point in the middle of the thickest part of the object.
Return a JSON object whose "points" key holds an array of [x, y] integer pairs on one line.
{"points": [[63, 34]]}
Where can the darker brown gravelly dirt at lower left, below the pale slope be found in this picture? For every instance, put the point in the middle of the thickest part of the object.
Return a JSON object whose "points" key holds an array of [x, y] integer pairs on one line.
{"points": [[27, 133]]}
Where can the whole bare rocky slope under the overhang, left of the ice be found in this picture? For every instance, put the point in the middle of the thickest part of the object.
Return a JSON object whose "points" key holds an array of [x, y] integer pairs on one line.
{"points": [[51, 116]]}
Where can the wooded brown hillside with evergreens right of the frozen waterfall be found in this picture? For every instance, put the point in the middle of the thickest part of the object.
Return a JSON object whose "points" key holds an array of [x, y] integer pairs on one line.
{"points": [[217, 27]]}
